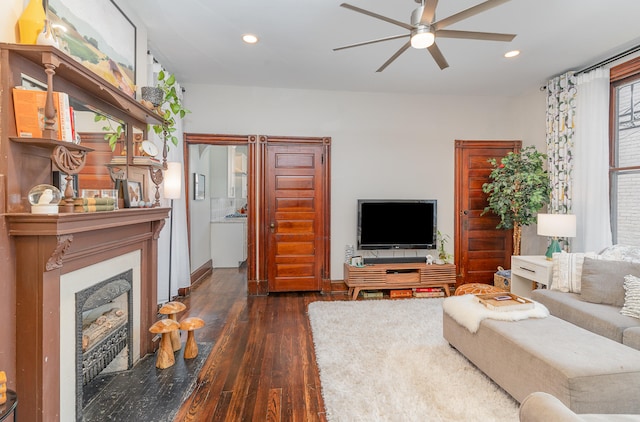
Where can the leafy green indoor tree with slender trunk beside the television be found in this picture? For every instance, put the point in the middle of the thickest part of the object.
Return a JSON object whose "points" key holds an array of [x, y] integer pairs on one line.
{"points": [[518, 189]]}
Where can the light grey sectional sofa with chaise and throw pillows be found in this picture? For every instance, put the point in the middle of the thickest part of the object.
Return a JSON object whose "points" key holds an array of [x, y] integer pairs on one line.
{"points": [[585, 354]]}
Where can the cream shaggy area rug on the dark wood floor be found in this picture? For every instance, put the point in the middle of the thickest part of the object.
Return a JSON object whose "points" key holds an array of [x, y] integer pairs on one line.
{"points": [[386, 360]]}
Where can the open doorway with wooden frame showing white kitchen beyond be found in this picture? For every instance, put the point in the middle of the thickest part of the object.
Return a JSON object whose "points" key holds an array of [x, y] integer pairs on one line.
{"points": [[229, 190]]}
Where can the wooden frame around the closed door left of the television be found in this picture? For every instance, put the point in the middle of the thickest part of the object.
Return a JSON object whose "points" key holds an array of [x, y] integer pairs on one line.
{"points": [[262, 286]]}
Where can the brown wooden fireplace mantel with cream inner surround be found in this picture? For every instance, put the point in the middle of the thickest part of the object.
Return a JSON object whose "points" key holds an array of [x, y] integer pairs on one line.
{"points": [[58, 256]]}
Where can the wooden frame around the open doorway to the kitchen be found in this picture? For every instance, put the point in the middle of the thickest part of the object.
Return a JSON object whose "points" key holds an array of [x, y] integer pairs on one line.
{"points": [[225, 140]]}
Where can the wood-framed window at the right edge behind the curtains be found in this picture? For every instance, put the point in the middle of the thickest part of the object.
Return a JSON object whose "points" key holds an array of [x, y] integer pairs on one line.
{"points": [[624, 163]]}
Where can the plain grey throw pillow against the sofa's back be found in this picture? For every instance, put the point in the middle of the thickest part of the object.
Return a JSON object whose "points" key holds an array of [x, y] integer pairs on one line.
{"points": [[603, 281]]}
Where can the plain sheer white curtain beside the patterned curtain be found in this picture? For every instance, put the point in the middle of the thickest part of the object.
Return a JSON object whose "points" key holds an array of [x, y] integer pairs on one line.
{"points": [[591, 170]]}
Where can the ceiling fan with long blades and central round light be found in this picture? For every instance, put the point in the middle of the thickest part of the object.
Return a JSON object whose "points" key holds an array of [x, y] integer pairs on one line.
{"points": [[424, 29]]}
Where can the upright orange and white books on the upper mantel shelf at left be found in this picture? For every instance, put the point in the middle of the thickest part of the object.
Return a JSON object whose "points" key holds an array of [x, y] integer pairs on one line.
{"points": [[29, 104]]}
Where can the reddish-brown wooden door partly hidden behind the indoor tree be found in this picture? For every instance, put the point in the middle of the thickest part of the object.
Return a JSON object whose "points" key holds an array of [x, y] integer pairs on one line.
{"points": [[479, 247]]}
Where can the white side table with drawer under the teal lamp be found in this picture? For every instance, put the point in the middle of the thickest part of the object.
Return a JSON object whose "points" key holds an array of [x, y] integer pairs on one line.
{"points": [[527, 270]]}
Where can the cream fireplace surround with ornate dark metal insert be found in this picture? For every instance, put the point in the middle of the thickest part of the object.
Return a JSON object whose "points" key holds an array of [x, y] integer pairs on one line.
{"points": [[86, 294]]}
